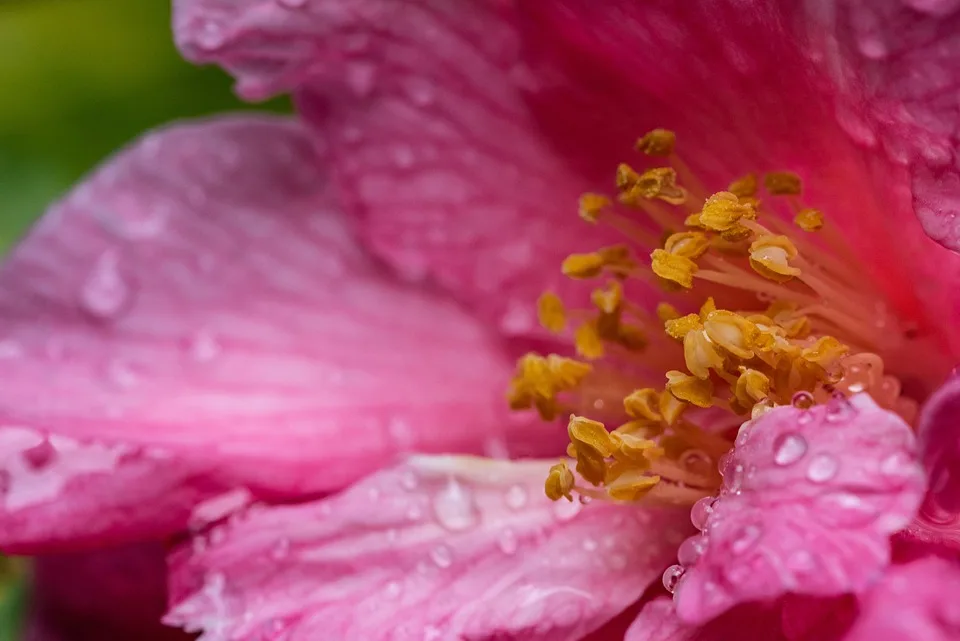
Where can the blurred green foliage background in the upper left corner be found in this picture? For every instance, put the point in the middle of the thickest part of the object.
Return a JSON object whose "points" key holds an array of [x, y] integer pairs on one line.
{"points": [[79, 78]]}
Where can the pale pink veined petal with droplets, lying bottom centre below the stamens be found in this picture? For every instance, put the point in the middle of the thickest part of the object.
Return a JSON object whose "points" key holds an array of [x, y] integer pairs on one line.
{"points": [[438, 548]]}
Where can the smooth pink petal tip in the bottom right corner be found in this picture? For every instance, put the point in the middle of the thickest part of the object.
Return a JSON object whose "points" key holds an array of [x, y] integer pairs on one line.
{"points": [[915, 601]]}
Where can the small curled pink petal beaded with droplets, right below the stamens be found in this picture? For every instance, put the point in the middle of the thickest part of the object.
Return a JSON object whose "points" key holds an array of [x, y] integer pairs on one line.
{"points": [[810, 499]]}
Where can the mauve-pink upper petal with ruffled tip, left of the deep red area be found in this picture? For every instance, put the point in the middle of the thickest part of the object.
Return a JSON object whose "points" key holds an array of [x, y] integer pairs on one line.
{"points": [[436, 152]]}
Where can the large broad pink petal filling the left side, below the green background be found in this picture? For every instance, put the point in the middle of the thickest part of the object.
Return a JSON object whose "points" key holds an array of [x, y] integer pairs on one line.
{"points": [[195, 317]]}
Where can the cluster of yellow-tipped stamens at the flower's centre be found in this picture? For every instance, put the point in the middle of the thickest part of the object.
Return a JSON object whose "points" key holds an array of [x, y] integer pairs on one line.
{"points": [[773, 312]]}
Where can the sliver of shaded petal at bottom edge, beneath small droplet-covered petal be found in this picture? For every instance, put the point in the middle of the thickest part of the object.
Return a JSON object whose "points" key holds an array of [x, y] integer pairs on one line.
{"points": [[658, 621]]}
